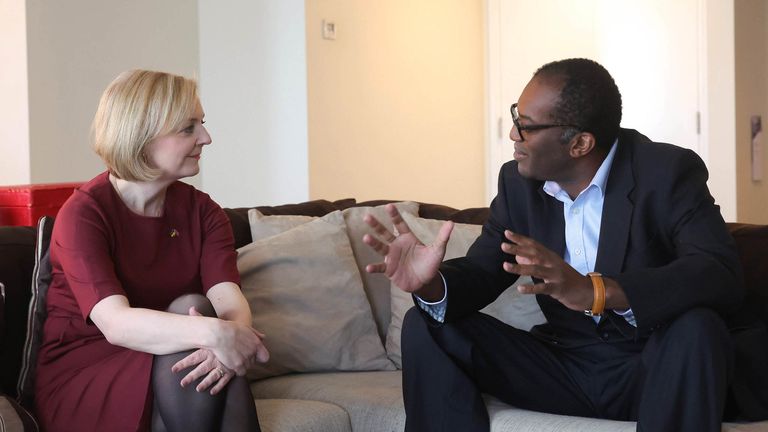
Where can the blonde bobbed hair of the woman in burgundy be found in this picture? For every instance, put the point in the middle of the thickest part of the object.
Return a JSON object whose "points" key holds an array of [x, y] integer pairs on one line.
{"points": [[137, 107]]}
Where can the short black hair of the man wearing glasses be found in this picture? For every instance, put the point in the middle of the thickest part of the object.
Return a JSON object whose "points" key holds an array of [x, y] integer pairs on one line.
{"points": [[589, 98]]}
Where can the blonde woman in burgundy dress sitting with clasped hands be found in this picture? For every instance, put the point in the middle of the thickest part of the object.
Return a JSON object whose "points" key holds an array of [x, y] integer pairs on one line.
{"points": [[146, 322]]}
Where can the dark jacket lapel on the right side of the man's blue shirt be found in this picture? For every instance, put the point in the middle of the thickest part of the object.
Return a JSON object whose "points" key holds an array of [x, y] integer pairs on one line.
{"points": [[617, 209]]}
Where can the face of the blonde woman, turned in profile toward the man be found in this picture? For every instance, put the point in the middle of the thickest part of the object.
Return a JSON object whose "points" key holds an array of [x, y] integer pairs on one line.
{"points": [[177, 154]]}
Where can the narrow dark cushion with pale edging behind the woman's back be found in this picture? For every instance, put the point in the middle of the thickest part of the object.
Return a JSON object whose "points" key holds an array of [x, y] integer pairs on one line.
{"points": [[41, 279]]}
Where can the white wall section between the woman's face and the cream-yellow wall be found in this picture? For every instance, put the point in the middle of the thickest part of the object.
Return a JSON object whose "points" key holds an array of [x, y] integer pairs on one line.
{"points": [[253, 82]]}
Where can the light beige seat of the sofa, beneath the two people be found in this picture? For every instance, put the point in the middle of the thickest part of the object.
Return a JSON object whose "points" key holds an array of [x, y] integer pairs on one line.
{"points": [[373, 401]]}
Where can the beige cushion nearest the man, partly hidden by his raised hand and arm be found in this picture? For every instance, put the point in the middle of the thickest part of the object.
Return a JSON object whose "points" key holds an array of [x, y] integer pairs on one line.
{"points": [[511, 307]]}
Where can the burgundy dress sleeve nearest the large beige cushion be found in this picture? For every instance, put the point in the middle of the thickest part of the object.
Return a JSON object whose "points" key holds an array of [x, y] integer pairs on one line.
{"points": [[218, 260]]}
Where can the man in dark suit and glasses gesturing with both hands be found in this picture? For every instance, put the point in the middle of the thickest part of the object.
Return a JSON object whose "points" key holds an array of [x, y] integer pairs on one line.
{"points": [[632, 266]]}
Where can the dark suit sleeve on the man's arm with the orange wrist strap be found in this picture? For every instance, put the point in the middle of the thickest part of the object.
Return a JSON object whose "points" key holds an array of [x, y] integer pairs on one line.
{"points": [[691, 259]]}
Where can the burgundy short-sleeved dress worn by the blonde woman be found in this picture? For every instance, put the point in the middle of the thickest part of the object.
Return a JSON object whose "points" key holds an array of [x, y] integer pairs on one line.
{"points": [[100, 248]]}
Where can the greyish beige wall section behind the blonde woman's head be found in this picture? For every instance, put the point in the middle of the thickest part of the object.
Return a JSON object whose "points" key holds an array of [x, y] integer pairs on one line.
{"points": [[75, 48]]}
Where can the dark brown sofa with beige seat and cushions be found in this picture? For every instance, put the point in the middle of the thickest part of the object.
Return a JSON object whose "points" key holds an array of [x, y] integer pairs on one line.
{"points": [[332, 329]]}
